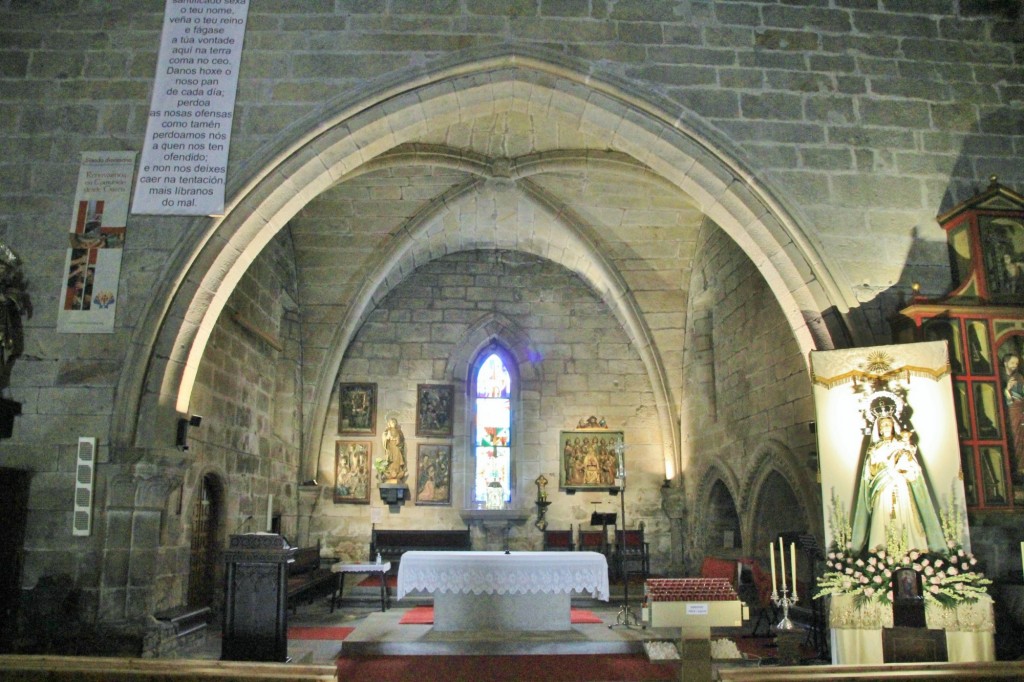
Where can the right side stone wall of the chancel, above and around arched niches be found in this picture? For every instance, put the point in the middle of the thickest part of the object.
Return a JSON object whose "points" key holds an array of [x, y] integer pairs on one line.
{"points": [[749, 409]]}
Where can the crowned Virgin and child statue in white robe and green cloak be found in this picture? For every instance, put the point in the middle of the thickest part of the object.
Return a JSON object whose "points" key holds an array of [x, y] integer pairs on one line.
{"points": [[893, 495]]}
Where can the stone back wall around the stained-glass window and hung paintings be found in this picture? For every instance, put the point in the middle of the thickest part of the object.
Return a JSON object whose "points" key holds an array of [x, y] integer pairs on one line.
{"points": [[429, 331]]}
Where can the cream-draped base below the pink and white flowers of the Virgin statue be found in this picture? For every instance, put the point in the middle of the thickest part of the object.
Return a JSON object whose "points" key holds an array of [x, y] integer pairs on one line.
{"points": [[857, 631]]}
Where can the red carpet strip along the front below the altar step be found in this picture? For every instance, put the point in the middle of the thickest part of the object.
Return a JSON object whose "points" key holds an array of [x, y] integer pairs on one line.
{"points": [[615, 668]]}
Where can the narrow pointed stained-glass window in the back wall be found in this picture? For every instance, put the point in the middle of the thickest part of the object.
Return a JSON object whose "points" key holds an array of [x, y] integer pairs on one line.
{"points": [[493, 390]]}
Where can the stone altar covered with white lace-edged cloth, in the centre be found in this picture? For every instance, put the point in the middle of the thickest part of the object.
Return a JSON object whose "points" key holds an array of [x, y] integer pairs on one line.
{"points": [[517, 591]]}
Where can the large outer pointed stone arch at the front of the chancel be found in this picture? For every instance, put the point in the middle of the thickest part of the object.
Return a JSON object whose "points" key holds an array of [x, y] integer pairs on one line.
{"points": [[316, 154]]}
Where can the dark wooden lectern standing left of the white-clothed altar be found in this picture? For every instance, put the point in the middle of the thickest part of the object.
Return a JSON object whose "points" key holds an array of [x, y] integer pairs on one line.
{"points": [[257, 599]]}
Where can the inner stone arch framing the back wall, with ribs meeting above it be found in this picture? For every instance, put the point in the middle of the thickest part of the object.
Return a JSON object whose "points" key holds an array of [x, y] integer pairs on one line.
{"points": [[570, 243]]}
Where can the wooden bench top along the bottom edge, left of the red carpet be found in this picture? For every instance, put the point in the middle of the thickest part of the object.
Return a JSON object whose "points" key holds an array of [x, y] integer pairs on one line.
{"points": [[94, 669]]}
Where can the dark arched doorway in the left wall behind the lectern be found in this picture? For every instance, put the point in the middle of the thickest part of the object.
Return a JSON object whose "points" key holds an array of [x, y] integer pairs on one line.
{"points": [[205, 557]]}
